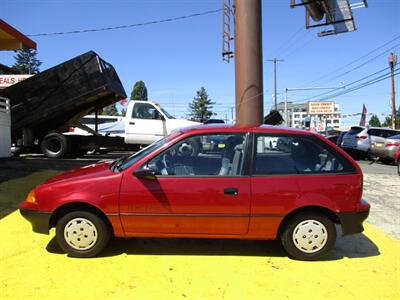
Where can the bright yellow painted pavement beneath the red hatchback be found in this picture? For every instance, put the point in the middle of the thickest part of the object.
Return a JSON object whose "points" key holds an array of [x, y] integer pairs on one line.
{"points": [[364, 266]]}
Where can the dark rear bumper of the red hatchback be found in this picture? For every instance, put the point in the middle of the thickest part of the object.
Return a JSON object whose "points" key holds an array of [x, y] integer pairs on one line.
{"points": [[352, 221]]}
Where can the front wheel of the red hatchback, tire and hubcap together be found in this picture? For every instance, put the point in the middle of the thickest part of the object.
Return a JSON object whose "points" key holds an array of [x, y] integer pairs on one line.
{"points": [[82, 234]]}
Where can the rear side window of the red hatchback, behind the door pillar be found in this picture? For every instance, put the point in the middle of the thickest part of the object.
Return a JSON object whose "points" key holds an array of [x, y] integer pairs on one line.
{"points": [[297, 155]]}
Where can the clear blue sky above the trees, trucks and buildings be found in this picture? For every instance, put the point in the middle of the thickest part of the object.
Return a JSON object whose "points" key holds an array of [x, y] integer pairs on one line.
{"points": [[175, 59]]}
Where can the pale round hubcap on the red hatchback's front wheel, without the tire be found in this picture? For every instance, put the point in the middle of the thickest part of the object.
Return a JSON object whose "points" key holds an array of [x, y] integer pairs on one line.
{"points": [[80, 234]]}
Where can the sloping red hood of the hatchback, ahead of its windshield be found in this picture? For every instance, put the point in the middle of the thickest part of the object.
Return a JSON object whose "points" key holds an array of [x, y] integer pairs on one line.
{"points": [[97, 170]]}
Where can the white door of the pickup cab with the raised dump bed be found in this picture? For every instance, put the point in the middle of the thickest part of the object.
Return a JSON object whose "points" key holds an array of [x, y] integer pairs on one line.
{"points": [[145, 125]]}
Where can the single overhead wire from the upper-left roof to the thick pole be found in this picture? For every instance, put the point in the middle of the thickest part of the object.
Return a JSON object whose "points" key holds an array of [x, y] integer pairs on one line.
{"points": [[129, 26]]}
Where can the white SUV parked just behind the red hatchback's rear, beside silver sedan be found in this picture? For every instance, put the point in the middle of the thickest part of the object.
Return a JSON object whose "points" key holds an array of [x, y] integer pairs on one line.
{"points": [[358, 140]]}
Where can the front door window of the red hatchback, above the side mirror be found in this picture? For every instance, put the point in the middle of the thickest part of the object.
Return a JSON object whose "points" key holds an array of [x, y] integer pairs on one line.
{"points": [[202, 155]]}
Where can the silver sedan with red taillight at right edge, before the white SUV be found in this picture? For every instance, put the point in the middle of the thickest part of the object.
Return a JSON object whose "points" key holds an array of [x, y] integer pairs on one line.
{"points": [[386, 148]]}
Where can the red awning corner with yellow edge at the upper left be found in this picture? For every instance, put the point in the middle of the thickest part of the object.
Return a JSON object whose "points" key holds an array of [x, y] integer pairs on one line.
{"points": [[12, 39]]}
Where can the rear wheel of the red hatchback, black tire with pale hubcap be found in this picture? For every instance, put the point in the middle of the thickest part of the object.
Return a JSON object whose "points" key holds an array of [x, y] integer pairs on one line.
{"points": [[301, 243]]}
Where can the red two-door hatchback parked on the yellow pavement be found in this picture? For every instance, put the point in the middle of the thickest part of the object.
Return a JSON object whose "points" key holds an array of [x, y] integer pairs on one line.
{"points": [[209, 181]]}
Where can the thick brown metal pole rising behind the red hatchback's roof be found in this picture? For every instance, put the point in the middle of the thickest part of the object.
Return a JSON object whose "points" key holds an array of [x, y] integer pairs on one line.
{"points": [[248, 63]]}
